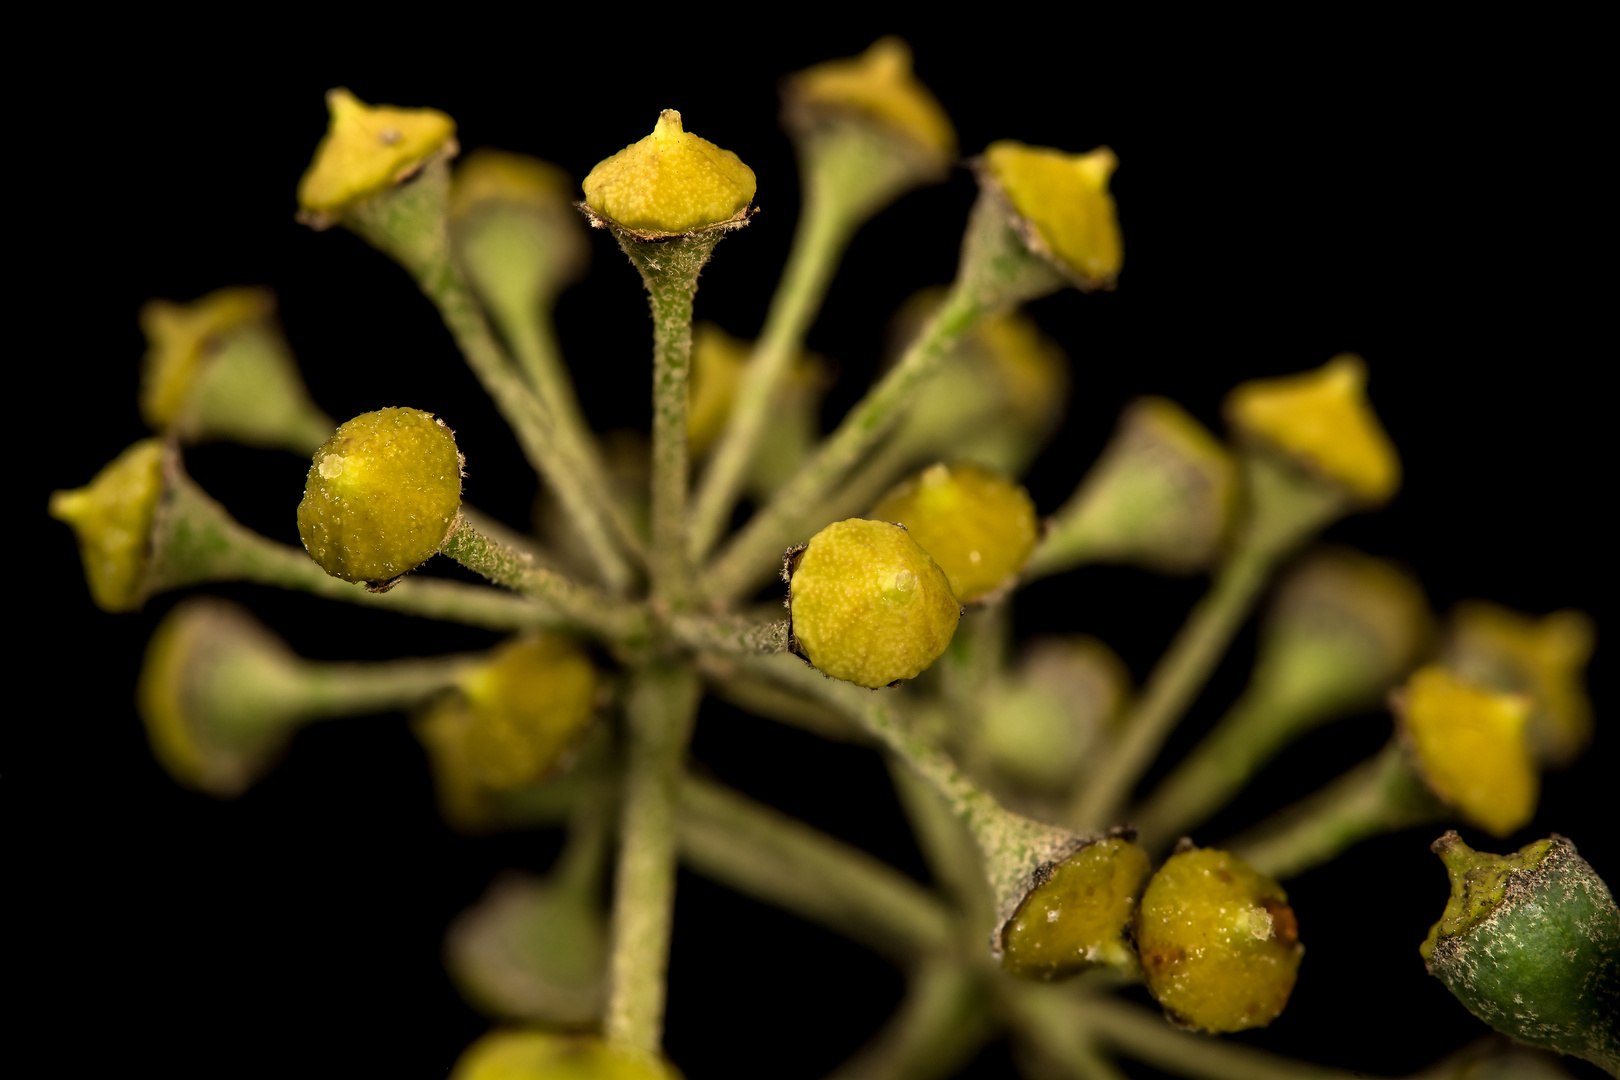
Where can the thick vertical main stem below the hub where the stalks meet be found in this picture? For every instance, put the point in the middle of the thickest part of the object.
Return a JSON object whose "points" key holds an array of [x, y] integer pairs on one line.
{"points": [[660, 713]]}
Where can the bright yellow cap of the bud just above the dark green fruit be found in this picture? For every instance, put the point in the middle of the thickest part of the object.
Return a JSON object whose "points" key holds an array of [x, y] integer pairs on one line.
{"points": [[1472, 749]]}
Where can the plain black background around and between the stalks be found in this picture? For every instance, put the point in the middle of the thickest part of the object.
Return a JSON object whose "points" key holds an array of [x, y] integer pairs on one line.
{"points": [[1422, 200]]}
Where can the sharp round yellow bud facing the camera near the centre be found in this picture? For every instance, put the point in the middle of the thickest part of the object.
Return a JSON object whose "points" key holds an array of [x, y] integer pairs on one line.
{"points": [[869, 605]]}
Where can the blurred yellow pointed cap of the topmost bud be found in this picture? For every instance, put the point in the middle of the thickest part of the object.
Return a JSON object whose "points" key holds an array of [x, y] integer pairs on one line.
{"points": [[877, 88]]}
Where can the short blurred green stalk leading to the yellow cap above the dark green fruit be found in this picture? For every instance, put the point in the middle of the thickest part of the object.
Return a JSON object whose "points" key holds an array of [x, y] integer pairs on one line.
{"points": [[1379, 796]]}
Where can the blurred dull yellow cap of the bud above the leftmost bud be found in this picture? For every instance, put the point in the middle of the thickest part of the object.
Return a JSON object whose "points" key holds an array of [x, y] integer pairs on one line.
{"points": [[179, 338]]}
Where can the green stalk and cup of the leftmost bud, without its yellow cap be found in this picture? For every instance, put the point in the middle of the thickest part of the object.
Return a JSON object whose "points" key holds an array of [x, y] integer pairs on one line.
{"points": [[197, 542]]}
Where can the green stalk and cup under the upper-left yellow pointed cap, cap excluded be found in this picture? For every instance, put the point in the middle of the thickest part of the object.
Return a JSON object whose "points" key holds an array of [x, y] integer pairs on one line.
{"points": [[409, 223]]}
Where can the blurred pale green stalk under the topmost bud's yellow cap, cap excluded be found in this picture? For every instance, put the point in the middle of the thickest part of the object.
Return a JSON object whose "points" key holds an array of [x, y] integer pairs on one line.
{"points": [[837, 202]]}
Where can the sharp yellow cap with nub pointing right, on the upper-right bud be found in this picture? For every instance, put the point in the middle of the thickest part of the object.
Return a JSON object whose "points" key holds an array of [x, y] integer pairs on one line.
{"points": [[1065, 206]]}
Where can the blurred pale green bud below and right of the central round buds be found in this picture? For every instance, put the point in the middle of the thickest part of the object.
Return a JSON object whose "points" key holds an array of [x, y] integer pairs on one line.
{"points": [[1039, 728]]}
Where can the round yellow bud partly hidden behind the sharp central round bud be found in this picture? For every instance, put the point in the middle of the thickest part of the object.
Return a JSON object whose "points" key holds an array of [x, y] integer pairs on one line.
{"points": [[976, 525]]}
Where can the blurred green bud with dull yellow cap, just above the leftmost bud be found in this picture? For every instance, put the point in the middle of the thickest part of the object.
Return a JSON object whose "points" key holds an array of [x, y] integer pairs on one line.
{"points": [[220, 368]]}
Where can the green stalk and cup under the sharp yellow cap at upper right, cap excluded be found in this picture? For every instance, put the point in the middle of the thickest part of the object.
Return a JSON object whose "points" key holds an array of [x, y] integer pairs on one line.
{"points": [[997, 273]]}
